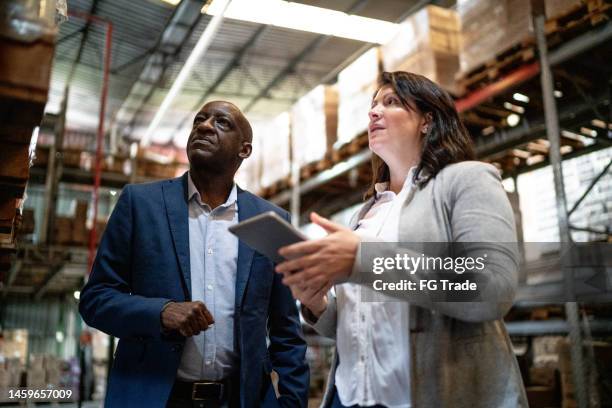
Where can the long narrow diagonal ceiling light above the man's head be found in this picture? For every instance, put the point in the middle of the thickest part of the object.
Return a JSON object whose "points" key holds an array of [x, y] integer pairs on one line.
{"points": [[195, 56]]}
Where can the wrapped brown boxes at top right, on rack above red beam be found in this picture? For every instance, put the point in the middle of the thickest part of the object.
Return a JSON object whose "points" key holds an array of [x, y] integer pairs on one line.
{"points": [[491, 27]]}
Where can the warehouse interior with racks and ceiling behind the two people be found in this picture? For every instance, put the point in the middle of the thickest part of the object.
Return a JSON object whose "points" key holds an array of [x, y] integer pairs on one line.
{"points": [[97, 94]]}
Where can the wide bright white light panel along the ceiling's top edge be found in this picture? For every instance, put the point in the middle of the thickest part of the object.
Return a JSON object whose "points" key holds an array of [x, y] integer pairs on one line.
{"points": [[303, 17]]}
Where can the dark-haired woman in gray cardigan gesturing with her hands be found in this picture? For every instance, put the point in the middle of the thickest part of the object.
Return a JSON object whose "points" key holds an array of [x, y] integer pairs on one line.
{"points": [[418, 353]]}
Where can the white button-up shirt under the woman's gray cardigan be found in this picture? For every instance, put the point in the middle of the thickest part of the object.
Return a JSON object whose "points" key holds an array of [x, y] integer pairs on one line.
{"points": [[372, 337]]}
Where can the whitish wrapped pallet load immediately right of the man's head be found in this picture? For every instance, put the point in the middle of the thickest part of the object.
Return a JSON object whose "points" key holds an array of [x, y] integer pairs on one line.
{"points": [[275, 148]]}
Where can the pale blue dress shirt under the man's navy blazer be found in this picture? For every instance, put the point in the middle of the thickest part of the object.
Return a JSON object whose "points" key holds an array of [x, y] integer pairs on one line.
{"points": [[213, 255]]}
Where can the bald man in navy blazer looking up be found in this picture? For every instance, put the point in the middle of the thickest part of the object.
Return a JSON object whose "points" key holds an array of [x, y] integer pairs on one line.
{"points": [[191, 305]]}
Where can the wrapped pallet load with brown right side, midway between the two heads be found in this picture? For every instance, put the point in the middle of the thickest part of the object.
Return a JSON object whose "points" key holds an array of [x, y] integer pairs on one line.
{"points": [[314, 122]]}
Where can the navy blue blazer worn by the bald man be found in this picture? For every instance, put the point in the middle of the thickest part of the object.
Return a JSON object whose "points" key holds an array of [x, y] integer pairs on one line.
{"points": [[143, 262]]}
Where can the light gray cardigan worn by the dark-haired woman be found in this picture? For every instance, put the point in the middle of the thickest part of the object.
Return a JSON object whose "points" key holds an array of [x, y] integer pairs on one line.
{"points": [[461, 354]]}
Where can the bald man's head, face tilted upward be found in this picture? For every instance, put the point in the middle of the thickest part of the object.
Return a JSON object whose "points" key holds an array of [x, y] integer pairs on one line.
{"points": [[216, 138]]}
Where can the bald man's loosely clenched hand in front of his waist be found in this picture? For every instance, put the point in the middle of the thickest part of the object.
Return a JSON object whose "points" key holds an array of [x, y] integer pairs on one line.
{"points": [[188, 318]]}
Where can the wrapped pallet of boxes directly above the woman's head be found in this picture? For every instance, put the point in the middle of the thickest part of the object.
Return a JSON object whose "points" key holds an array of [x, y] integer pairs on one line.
{"points": [[427, 43]]}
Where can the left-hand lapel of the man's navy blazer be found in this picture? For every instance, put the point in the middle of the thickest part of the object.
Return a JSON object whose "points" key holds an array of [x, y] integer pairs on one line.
{"points": [[175, 198]]}
